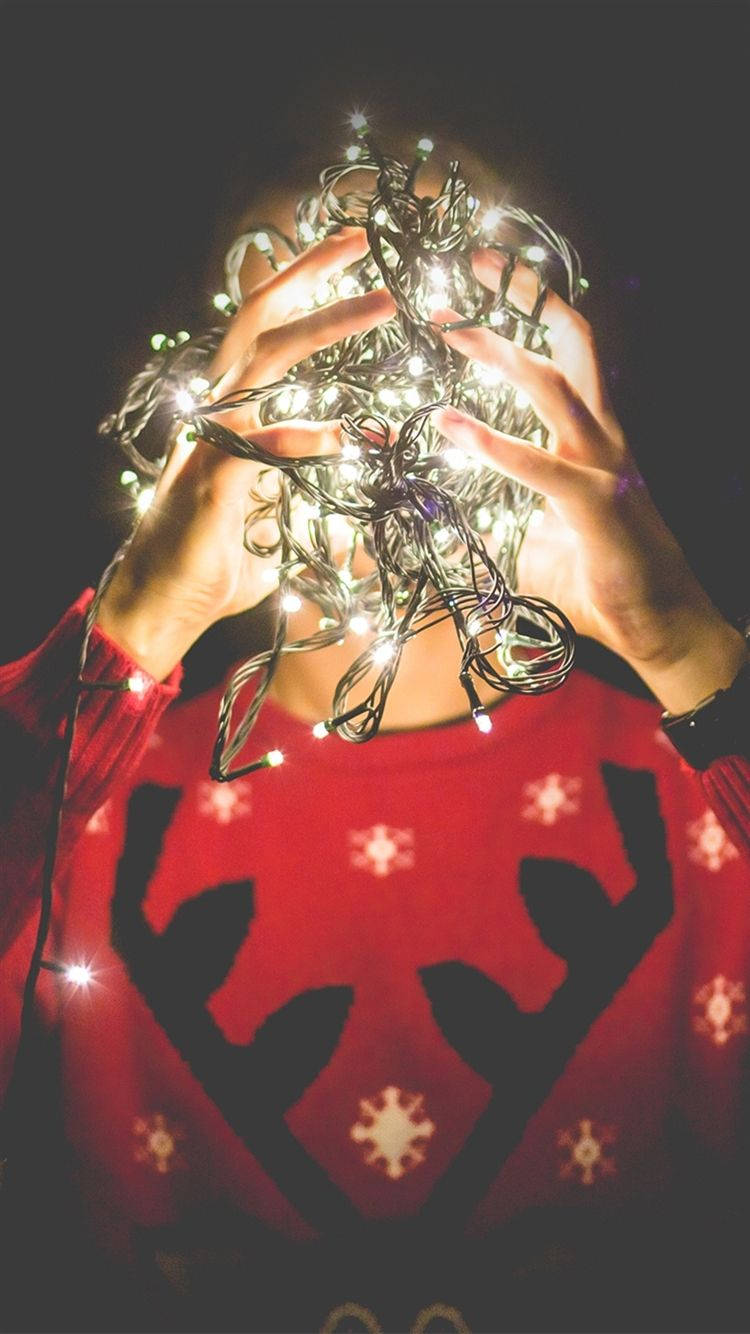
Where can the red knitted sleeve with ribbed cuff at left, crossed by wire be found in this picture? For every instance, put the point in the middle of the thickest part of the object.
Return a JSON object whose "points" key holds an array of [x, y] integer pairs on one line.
{"points": [[113, 730]]}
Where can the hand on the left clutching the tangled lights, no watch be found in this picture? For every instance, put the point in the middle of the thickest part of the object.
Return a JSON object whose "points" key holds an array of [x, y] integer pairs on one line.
{"points": [[187, 566]]}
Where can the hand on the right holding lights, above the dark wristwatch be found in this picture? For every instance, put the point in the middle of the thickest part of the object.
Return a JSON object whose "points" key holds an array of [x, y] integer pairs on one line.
{"points": [[603, 552]]}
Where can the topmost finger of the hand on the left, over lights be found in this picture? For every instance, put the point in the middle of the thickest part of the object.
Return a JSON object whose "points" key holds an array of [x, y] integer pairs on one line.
{"points": [[272, 302]]}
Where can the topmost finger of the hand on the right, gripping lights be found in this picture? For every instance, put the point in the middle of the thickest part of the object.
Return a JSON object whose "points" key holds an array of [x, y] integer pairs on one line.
{"points": [[571, 337]]}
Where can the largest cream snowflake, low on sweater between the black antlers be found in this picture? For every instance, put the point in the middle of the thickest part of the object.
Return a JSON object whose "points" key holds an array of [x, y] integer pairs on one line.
{"points": [[394, 1132]]}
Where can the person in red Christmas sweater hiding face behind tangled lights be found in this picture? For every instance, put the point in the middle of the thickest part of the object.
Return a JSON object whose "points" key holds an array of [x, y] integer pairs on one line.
{"points": [[385, 1037]]}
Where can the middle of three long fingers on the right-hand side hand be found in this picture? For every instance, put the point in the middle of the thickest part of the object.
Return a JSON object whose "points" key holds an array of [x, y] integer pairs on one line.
{"points": [[576, 430]]}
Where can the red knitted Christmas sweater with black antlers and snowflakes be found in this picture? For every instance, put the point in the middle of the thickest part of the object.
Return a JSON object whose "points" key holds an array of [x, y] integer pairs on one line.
{"points": [[444, 976]]}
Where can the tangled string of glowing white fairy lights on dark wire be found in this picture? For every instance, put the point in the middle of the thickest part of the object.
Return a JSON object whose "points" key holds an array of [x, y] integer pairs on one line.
{"points": [[441, 533]]}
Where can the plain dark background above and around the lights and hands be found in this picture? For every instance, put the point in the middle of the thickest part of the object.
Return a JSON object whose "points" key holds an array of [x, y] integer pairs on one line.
{"points": [[133, 133]]}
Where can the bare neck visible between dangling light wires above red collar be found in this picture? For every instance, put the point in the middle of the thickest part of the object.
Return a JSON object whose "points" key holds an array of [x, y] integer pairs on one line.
{"points": [[425, 693]]}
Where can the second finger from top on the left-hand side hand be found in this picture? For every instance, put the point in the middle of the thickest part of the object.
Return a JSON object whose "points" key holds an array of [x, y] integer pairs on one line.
{"points": [[276, 350]]}
